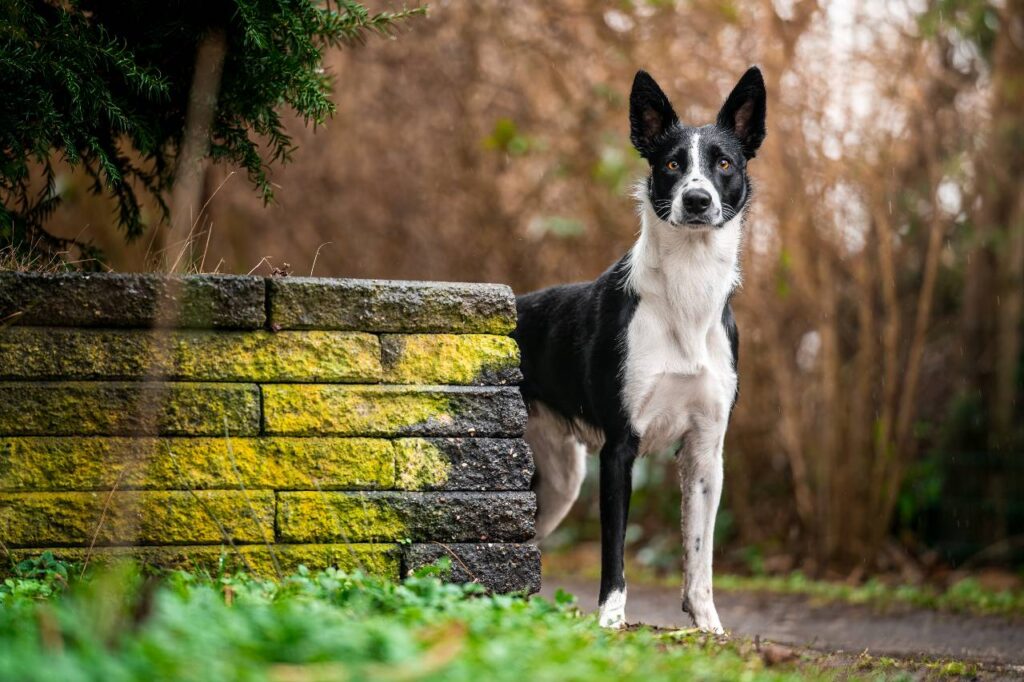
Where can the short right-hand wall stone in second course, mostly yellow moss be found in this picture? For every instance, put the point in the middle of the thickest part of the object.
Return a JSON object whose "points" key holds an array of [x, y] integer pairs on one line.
{"points": [[451, 359]]}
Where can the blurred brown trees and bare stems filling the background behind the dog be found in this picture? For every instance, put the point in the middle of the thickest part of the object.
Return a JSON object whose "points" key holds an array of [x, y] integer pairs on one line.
{"points": [[880, 419]]}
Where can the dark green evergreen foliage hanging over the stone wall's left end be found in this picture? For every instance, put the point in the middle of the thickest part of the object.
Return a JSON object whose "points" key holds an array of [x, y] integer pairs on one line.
{"points": [[105, 84]]}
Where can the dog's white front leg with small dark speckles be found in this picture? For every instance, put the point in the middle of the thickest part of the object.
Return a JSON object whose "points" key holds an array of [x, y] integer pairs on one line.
{"points": [[700, 463]]}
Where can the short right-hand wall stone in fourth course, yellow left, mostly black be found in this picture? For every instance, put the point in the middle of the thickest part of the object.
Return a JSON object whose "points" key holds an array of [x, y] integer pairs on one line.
{"points": [[461, 464]]}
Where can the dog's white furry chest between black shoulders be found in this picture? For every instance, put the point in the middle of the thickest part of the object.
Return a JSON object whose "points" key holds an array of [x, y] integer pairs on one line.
{"points": [[678, 364]]}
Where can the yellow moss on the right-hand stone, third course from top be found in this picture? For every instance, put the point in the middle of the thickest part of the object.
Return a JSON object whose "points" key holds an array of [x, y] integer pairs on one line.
{"points": [[303, 410]]}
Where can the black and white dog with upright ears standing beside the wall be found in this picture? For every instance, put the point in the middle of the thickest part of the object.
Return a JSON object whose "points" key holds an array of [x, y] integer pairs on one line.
{"points": [[645, 358]]}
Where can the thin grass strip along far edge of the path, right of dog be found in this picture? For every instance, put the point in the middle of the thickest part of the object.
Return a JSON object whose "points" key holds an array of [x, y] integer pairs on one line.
{"points": [[965, 596]]}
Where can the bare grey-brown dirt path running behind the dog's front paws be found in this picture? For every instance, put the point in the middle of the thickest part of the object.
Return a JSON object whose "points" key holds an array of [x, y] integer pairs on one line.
{"points": [[796, 621]]}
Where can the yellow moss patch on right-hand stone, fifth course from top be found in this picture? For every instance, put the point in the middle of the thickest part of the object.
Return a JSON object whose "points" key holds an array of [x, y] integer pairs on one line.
{"points": [[305, 518]]}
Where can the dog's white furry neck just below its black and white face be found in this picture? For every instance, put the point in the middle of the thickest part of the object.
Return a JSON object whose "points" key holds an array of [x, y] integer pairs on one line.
{"points": [[681, 265]]}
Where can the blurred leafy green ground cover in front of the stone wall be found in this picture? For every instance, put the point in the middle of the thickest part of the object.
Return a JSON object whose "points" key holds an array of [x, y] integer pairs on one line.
{"points": [[117, 625]]}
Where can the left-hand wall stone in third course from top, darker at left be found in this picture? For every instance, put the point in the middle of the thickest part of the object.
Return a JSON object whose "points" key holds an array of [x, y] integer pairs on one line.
{"points": [[129, 409]]}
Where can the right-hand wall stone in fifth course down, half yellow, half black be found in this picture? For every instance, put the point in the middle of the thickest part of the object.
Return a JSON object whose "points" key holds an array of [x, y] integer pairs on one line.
{"points": [[305, 518]]}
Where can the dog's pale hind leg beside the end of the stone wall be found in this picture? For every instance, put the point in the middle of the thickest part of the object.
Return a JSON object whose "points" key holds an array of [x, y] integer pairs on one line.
{"points": [[561, 465]]}
